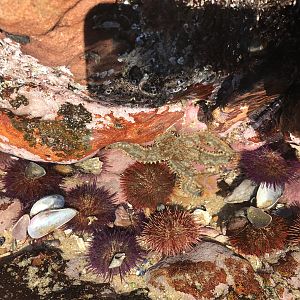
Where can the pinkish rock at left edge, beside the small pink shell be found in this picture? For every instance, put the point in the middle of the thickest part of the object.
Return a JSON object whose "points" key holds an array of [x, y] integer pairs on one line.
{"points": [[9, 212]]}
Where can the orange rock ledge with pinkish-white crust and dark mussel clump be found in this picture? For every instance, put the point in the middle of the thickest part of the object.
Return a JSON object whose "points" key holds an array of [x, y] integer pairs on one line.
{"points": [[54, 123]]}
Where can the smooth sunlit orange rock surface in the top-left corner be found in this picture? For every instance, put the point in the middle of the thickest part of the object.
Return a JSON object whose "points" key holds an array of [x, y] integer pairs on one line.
{"points": [[56, 28]]}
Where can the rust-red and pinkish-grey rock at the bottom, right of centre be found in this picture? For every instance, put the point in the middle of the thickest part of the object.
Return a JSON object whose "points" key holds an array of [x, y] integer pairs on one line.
{"points": [[209, 271]]}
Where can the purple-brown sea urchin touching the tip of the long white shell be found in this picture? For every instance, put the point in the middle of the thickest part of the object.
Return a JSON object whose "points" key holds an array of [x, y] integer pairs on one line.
{"points": [[95, 206]]}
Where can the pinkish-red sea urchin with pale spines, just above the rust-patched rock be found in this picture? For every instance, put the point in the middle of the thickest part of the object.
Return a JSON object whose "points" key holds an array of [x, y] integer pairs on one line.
{"points": [[170, 232]]}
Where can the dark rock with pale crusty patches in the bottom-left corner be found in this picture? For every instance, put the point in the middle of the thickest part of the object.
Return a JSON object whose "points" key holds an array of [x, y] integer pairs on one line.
{"points": [[39, 274]]}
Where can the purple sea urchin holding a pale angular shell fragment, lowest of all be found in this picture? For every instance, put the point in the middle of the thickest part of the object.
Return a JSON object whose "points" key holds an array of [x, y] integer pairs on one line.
{"points": [[114, 251]]}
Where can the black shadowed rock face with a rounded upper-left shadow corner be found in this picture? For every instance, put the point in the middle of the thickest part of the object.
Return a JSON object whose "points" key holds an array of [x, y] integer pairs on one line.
{"points": [[162, 50]]}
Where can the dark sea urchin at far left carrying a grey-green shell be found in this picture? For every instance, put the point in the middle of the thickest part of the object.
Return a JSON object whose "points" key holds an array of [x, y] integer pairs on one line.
{"points": [[29, 188]]}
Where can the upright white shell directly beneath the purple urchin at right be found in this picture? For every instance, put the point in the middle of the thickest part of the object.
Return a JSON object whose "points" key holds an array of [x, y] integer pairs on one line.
{"points": [[267, 196]]}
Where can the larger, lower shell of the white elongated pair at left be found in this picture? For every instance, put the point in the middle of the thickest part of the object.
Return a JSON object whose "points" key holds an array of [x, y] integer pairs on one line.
{"points": [[47, 221]]}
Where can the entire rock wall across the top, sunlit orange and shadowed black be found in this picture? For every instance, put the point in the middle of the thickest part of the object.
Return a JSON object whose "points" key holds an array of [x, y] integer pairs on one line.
{"points": [[150, 52]]}
